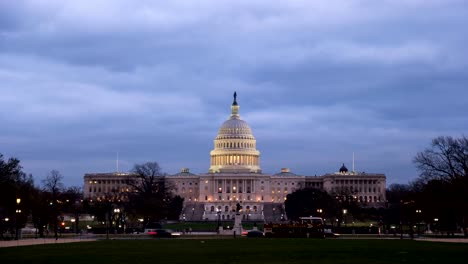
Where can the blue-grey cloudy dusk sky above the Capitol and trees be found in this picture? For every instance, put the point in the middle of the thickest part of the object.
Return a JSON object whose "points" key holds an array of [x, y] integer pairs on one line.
{"points": [[81, 81]]}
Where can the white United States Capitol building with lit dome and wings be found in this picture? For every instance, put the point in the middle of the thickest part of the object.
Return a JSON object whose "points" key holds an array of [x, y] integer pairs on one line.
{"points": [[235, 177]]}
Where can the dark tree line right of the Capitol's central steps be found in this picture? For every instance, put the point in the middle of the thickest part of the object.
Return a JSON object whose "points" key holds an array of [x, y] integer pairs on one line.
{"points": [[437, 199]]}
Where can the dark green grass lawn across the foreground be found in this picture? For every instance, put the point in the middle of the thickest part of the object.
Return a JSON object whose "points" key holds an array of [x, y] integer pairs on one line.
{"points": [[241, 250]]}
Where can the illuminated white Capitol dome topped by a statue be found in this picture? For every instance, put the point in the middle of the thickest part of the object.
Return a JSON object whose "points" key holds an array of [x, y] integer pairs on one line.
{"points": [[235, 146]]}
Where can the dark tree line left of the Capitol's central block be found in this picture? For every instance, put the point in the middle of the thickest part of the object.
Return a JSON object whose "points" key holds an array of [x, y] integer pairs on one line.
{"points": [[46, 205]]}
